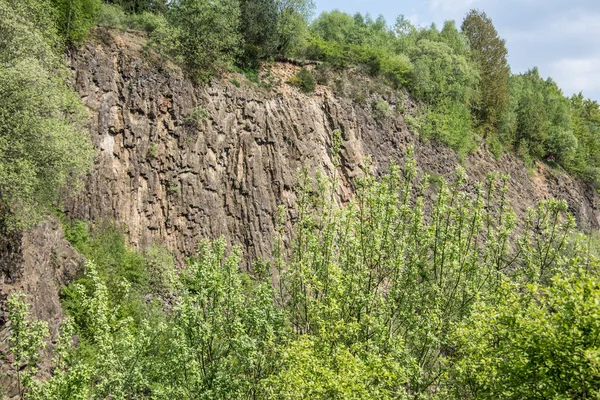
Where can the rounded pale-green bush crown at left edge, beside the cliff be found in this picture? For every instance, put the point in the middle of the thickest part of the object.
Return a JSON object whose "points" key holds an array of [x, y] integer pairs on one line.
{"points": [[43, 148]]}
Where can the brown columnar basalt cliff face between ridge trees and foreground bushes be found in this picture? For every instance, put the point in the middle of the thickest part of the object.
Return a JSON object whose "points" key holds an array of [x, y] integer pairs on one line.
{"points": [[179, 162]]}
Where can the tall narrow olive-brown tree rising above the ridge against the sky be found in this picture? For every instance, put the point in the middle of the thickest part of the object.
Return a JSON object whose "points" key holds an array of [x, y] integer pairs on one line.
{"points": [[489, 53]]}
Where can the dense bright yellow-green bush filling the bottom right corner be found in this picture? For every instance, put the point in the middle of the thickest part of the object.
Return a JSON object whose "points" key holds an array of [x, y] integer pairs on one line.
{"points": [[532, 343]]}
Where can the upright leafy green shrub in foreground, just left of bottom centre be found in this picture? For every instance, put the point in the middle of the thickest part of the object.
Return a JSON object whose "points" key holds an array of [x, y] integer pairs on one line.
{"points": [[224, 328]]}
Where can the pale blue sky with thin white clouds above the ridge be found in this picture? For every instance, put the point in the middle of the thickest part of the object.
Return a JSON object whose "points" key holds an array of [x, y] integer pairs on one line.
{"points": [[561, 38]]}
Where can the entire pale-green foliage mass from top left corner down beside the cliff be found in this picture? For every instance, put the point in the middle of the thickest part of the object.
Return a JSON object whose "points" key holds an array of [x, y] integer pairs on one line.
{"points": [[43, 149]]}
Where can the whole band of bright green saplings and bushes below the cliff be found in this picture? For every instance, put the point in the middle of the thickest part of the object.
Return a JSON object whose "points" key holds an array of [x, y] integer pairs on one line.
{"points": [[387, 297]]}
